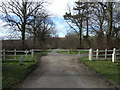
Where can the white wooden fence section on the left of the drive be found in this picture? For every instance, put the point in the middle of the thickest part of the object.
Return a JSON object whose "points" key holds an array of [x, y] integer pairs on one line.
{"points": [[18, 55]]}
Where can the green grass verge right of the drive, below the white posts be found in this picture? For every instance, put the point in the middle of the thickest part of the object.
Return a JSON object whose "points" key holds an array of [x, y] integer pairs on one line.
{"points": [[107, 69]]}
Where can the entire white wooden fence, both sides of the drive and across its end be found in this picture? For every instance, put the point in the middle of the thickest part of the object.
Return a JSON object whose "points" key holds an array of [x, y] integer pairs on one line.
{"points": [[113, 55]]}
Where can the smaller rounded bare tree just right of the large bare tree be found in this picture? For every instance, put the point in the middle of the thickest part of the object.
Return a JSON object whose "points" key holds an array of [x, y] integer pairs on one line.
{"points": [[41, 27]]}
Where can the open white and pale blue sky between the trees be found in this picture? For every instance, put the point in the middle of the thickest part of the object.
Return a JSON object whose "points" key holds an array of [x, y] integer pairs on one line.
{"points": [[57, 9]]}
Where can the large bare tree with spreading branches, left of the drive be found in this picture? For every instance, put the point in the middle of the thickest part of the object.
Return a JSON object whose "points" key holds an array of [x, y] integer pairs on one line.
{"points": [[17, 14]]}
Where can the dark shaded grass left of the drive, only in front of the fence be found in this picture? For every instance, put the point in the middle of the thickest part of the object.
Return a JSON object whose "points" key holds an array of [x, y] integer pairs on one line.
{"points": [[13, 73]]}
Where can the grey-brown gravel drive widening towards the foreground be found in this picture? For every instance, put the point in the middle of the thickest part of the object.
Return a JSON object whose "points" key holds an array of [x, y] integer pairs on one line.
{"points": [[62, 71]]}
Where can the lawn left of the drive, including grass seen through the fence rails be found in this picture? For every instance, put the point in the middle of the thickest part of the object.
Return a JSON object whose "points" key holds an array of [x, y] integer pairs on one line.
{"points": [[13, 73]]}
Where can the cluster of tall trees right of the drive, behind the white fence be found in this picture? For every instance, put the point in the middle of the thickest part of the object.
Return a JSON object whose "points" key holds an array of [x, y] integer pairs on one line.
{"points": [[97, 18]]}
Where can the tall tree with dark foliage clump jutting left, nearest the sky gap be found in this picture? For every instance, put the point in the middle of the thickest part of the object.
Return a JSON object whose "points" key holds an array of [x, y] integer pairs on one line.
{"points": [[77, 19]]}
